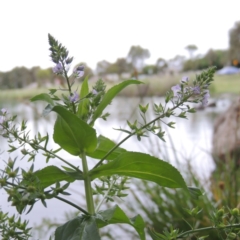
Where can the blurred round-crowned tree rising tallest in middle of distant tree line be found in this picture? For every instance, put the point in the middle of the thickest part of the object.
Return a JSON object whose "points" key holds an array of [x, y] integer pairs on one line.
{"points": [[137, 55]]}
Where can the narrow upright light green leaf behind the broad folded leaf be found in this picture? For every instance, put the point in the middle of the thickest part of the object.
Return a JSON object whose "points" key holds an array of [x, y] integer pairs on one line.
{"points": [[83, 104]]}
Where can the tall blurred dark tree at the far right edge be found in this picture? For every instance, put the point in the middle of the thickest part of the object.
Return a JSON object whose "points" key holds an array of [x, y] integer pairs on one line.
{"points": [[234, 44]]}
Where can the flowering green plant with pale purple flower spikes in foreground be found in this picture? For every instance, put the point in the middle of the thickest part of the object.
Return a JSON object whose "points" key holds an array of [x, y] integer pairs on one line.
{"points": [[74, 132]]}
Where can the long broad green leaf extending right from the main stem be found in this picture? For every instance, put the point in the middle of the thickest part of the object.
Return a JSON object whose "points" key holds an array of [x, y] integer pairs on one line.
{"points": [[143, 166]]}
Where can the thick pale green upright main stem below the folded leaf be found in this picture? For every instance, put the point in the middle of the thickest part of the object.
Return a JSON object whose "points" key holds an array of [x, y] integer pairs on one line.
{"points": [[87, 184]]}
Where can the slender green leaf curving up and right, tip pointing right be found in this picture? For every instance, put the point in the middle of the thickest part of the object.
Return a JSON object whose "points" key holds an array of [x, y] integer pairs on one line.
{"points": [[108, 97]]}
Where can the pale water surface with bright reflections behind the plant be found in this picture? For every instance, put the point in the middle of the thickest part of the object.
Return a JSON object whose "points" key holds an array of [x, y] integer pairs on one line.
{"points": [[189, 141]]}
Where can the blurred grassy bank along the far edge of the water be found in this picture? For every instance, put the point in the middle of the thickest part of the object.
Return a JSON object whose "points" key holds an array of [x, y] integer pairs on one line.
{"points": [[154, 86]]}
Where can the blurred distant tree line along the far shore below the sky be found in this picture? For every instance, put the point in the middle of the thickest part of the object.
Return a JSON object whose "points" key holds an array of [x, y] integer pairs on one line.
{"points": [[133, 64]]}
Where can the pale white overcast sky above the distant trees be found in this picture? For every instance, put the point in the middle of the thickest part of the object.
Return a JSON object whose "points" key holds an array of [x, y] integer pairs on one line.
{"points": [[96, 30]]}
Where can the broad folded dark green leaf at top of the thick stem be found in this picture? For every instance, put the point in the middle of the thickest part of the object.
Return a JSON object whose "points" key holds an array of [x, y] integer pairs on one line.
{"points": [[73, 134]]}
